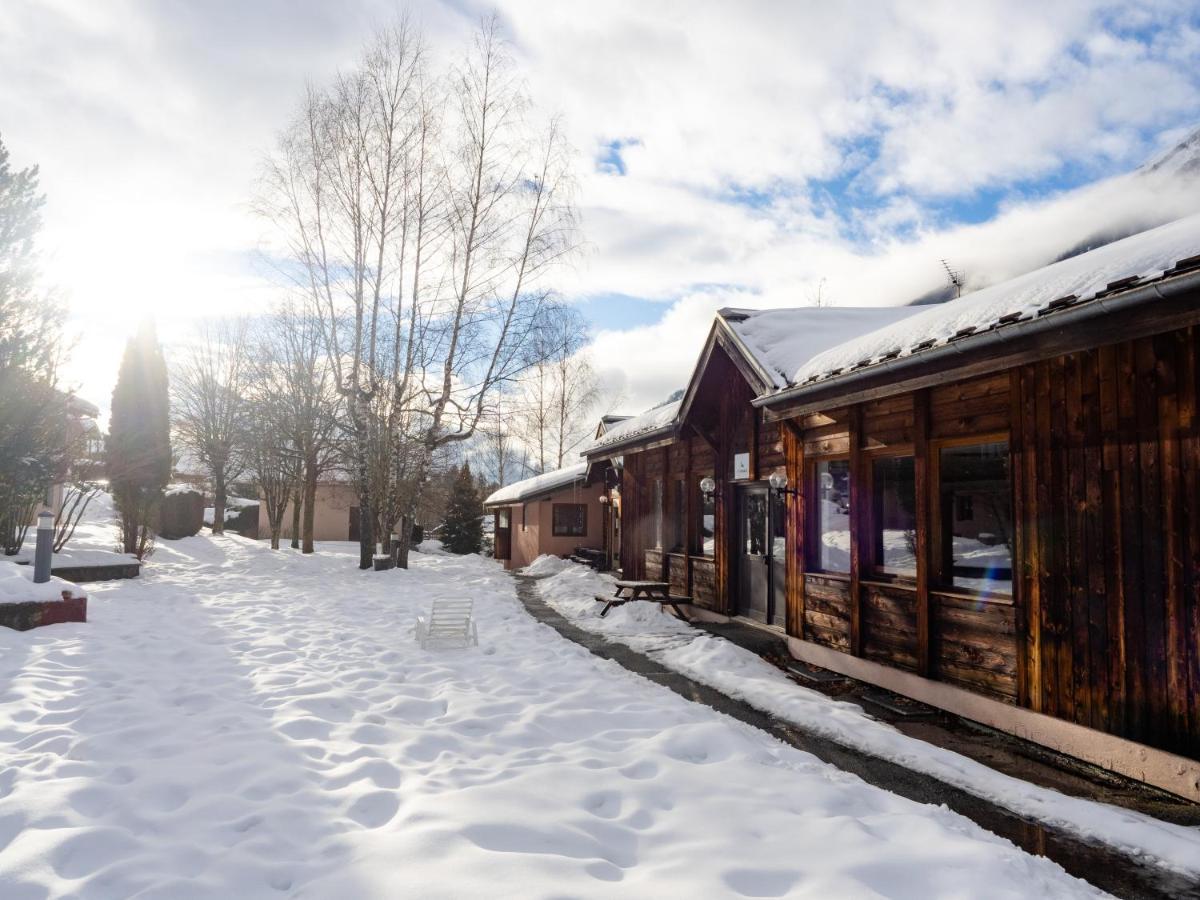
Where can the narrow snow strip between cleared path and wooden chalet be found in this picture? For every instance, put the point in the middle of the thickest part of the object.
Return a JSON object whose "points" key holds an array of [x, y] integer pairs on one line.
{"points": [[737, 673]]}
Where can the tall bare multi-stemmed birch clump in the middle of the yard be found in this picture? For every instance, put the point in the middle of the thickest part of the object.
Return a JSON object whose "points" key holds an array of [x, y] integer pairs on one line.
{"points": [[423, 215]]}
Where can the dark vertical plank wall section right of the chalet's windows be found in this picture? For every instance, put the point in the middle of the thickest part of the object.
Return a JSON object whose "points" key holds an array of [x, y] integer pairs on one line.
{"points": [[1109, 572]]}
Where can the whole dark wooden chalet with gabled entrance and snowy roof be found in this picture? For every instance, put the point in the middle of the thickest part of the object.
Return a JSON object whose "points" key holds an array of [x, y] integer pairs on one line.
{"points": [[992, 506]]}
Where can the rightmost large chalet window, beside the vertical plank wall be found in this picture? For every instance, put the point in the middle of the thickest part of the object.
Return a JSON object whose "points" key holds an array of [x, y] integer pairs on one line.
{"points": [[976, 518]]}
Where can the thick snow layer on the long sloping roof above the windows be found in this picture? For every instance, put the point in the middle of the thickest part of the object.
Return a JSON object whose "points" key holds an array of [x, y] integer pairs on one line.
{"points": [[1114, 267]]}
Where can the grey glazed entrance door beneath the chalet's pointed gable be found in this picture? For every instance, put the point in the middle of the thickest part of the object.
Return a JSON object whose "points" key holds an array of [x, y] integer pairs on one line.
{"points": [[763, 575]]}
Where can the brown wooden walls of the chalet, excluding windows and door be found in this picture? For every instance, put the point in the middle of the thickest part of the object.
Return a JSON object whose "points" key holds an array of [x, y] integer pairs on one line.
{"points": [[1103, 623]]}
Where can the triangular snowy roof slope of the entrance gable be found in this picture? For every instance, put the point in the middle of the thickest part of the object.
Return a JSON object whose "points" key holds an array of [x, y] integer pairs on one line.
{"points": [[782, 341]]}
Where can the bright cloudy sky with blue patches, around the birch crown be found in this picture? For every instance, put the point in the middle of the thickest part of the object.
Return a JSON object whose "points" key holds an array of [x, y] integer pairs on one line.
{"points": [[753, 155]]}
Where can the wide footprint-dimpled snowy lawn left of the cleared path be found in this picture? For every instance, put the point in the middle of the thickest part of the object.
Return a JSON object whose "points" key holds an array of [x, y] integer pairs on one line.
{"points": [[241, 723]]}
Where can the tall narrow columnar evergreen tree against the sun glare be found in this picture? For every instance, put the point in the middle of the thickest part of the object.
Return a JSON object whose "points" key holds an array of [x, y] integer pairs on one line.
{"points": [[140, 440]]}
